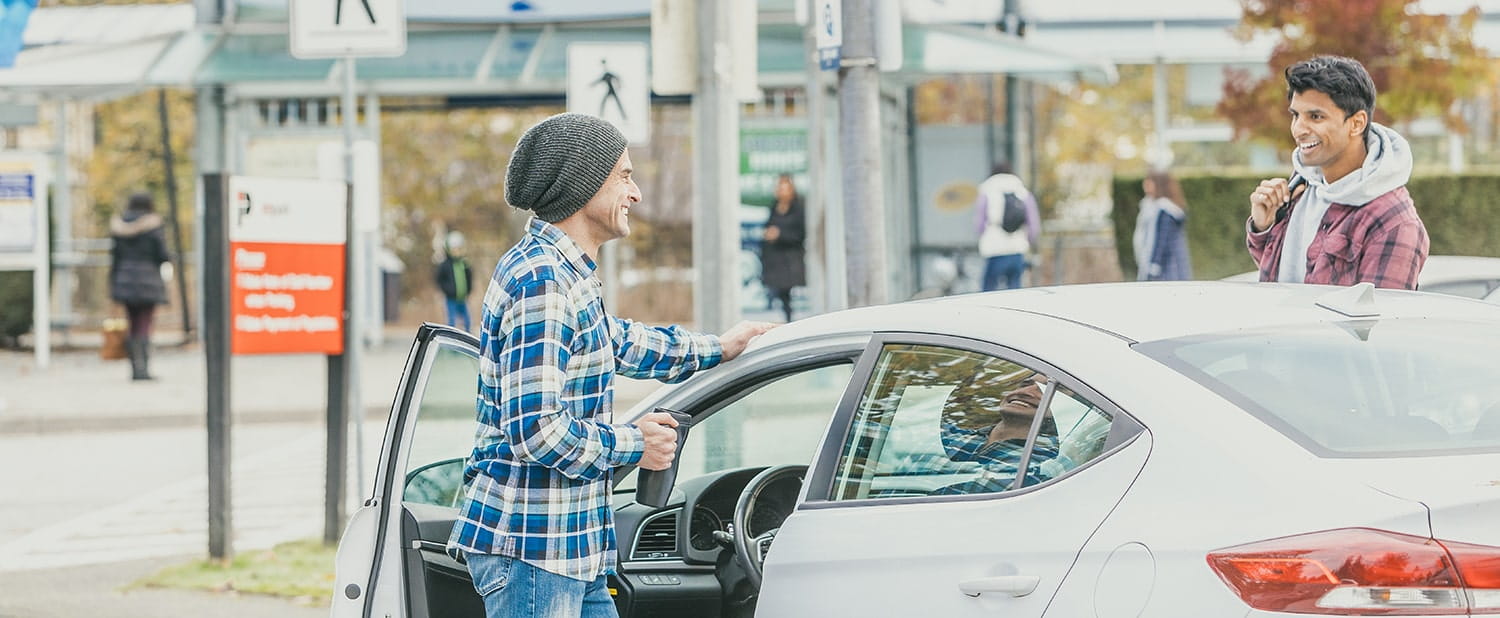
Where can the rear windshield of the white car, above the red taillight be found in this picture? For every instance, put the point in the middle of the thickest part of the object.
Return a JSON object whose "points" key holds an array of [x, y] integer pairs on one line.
{"points": [[1376, 388]]}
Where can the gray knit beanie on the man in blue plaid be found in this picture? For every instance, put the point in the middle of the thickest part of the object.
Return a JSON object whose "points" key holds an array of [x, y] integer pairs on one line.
{"points": [[562, 163]]}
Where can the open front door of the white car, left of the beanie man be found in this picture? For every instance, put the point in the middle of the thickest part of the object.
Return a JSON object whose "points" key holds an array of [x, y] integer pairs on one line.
{"points": [[392, 560]]}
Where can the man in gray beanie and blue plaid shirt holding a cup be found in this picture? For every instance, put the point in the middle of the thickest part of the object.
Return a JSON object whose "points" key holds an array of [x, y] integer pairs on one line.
{"points": [[536, 524]]}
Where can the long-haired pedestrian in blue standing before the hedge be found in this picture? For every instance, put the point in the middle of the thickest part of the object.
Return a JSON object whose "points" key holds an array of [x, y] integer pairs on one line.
{"points": [[1160, 241]]}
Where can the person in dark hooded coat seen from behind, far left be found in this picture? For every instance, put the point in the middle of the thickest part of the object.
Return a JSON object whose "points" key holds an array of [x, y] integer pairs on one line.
{"points": [[136, 275]]}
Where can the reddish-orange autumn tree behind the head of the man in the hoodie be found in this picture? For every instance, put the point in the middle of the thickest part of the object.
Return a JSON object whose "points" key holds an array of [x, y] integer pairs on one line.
{"points": [[1421, 64]]}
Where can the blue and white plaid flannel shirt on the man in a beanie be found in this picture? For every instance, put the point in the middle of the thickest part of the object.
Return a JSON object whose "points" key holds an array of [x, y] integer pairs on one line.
{"points": [[538, 485]]}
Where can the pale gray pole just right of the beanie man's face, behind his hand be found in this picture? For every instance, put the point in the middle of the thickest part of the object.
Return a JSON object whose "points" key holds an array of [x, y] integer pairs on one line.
{"points": [[716, 187]]}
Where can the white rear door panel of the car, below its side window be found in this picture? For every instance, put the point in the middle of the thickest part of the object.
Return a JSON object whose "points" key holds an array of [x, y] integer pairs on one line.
{"points": [[829, 559]]}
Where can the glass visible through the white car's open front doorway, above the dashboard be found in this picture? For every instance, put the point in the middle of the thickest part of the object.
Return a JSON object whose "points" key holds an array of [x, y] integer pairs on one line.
{"points": [[779, 422]]}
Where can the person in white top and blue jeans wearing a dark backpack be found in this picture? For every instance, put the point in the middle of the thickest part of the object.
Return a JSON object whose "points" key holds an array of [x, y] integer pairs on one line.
{"points": [[1009, 227]]}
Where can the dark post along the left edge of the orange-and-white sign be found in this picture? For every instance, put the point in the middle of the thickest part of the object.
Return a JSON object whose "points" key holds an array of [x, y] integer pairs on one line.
{"points": [[217, 355]]}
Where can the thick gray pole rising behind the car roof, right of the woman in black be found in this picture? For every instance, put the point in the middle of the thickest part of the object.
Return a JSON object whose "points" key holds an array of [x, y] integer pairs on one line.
{"points": [[860, 149]]}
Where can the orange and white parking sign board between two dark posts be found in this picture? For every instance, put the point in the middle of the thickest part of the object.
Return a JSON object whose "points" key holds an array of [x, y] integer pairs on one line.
{"points": [[286, 266]]}
